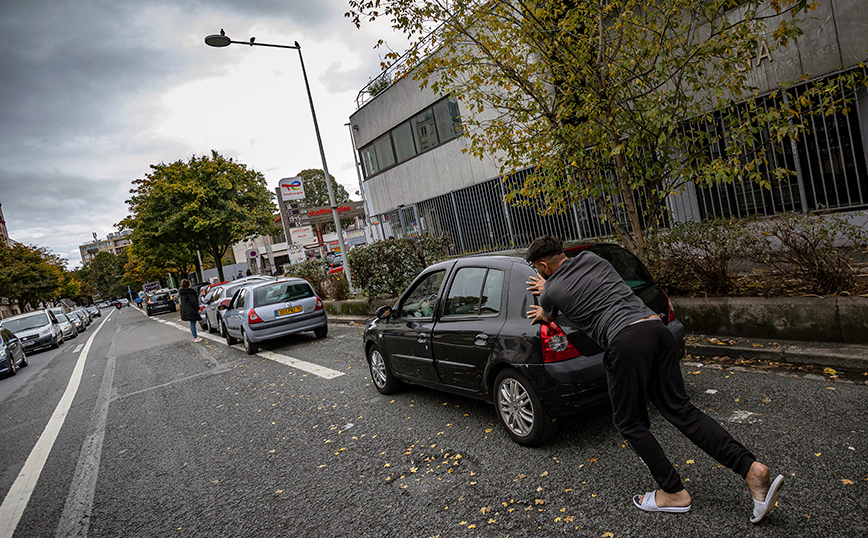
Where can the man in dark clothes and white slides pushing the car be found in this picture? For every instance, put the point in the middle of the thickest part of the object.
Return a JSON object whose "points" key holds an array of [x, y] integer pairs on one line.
{"points": [[640, 363]]}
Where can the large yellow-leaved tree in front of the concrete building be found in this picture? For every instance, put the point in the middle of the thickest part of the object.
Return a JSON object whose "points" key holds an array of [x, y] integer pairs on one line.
{"points": [[602, 97]]}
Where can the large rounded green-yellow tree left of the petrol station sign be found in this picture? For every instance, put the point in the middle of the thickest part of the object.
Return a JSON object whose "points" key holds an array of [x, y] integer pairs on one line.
{"points": [[205, 204]]}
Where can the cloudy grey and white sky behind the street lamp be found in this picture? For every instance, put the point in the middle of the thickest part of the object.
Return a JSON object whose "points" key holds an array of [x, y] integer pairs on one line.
{"points": [[92, 92]]}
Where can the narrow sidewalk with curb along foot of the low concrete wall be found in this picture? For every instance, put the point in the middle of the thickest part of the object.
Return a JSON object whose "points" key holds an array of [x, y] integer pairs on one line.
{"points": [[824, 355]]}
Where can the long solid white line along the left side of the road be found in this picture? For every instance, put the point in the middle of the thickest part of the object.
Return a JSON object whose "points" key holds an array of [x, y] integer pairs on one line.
{"points": [[19, 494]]}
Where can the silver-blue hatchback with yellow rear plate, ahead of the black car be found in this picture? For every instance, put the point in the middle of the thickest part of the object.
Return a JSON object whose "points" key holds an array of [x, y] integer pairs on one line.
{"points": [[267, 310]]}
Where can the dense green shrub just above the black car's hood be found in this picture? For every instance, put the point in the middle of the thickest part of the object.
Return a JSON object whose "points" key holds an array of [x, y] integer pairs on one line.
{"points": [[387, 267]]}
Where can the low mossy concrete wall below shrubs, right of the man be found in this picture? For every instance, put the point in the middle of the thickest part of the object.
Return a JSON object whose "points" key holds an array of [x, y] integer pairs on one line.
{"points": [[817, 319]]}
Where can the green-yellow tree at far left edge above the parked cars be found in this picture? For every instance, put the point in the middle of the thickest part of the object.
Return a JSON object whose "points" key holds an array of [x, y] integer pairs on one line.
{"points": [[29, 274]]}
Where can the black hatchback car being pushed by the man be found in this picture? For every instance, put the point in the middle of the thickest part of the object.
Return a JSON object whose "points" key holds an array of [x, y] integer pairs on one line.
{"points": [[461, 326]]}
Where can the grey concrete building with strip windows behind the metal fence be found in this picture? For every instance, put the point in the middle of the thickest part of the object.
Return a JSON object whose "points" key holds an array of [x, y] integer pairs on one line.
{"points": [[417, 179]]}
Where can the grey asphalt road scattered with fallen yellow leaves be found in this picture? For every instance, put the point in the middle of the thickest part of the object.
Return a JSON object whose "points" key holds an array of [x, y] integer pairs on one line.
{"points": [[166, 437]]}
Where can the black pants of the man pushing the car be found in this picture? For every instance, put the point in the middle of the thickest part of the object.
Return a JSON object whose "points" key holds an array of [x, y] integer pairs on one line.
{"points": [[641, 363]]}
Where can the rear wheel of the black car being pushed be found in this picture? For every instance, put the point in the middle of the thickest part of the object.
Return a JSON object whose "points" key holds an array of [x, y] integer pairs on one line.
{"points": [[519, 409]]}
